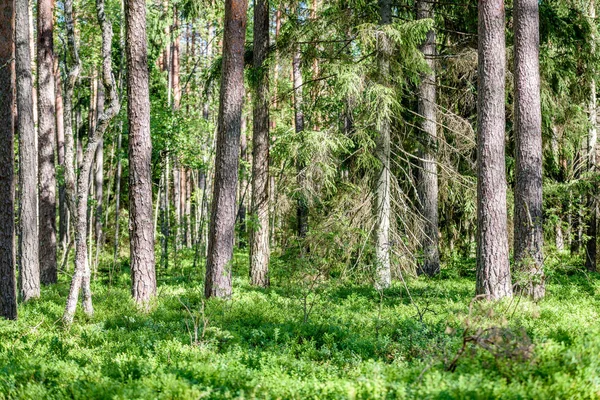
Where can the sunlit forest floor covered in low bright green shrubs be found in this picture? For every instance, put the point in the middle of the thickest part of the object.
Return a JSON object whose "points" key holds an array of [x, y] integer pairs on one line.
{"points": [[309, 339]]}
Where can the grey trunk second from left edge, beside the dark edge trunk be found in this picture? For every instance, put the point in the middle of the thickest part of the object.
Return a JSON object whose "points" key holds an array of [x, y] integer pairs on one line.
{"points": [[29, 276]]}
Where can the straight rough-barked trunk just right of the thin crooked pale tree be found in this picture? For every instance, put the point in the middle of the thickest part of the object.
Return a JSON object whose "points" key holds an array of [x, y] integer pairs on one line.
{"points": [[141, 232]]}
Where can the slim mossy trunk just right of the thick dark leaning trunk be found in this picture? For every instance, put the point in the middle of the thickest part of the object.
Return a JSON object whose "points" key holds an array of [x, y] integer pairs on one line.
{"points": [[259, 208]]}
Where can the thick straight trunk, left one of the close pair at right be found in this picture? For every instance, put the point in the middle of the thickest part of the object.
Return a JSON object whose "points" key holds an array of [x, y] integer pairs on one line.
{"points": [[493, 269]]}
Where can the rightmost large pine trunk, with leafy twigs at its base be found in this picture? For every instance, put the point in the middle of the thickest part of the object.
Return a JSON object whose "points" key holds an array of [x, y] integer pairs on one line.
{"points": [[528, 131]]}
